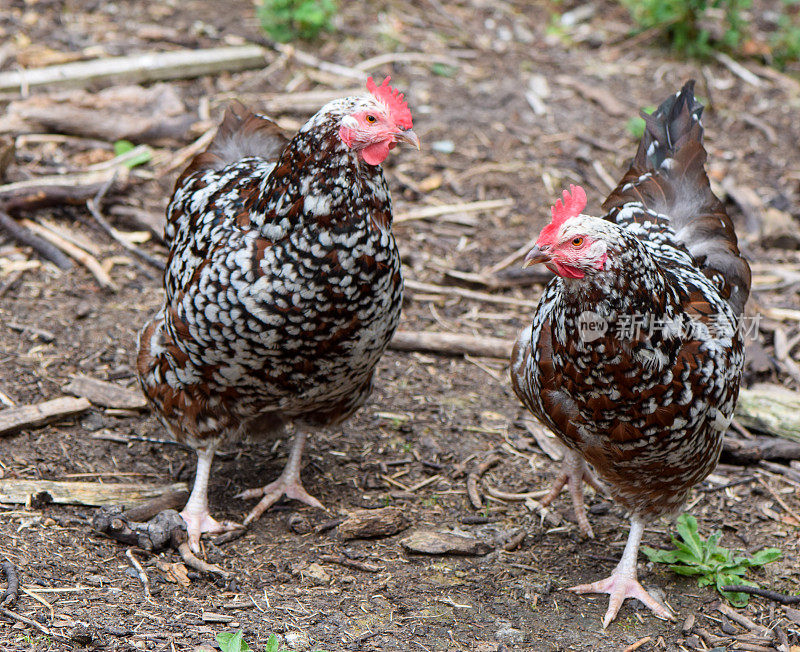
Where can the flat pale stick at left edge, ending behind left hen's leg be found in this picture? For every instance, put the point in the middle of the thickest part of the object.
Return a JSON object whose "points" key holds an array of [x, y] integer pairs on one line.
{"points": [[19, 492]]}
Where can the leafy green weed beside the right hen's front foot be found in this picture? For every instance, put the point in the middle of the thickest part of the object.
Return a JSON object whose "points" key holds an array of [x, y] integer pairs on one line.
{"points": [[708, 560]]}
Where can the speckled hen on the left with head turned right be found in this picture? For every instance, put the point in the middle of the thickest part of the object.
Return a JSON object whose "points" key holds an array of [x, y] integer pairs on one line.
{"points": [[283, 285]]}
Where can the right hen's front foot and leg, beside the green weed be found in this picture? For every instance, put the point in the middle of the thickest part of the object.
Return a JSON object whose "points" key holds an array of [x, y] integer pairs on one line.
{"points": [[623, 582]]}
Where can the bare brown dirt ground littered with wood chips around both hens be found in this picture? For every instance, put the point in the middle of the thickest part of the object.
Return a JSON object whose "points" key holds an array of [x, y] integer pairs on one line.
{"points": [[511, 102]]}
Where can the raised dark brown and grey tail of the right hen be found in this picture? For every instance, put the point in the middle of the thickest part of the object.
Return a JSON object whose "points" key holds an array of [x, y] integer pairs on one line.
{"points": [[668, 177]]}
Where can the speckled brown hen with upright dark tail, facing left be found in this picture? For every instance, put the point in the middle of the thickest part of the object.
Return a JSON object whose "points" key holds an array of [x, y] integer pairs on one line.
{"points": [[635, 353]]}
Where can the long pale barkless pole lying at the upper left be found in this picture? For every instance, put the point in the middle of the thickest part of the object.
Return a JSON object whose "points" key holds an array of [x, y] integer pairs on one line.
{"points": [[136, 68]]}
